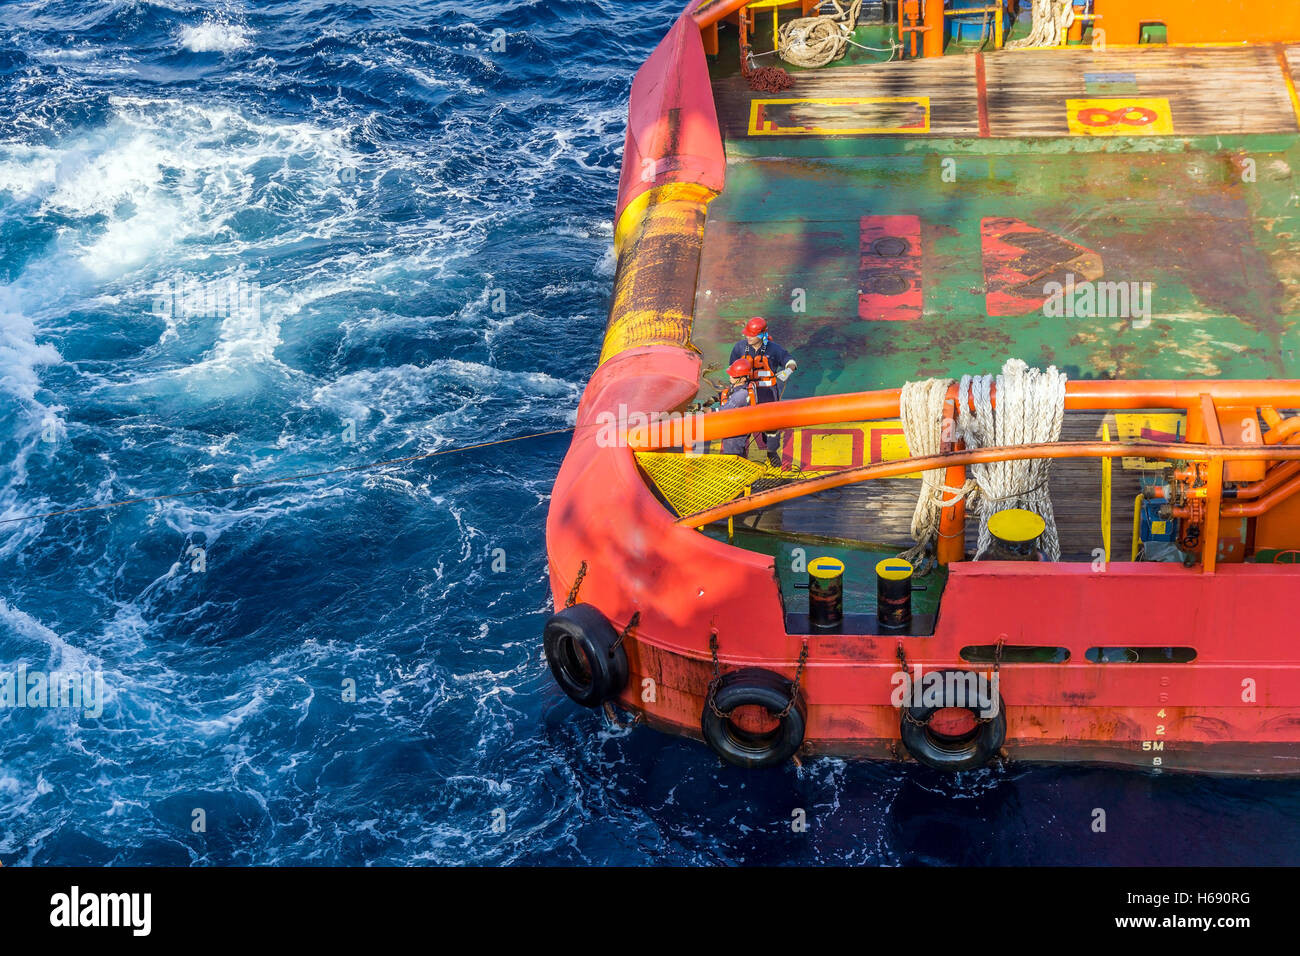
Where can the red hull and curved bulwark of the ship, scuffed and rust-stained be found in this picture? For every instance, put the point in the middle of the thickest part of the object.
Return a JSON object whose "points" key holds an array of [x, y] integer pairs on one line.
{"points": [[1234, 710]]}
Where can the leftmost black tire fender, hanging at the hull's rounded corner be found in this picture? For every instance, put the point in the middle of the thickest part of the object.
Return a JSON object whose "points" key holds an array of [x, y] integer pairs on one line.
{"points": [[579, 644]]}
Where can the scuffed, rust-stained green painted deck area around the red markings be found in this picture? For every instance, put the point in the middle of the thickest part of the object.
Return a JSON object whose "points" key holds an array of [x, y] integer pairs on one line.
{"points": [[1220, 256]]}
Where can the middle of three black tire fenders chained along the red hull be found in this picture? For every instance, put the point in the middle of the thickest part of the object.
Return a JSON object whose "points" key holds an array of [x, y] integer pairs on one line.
{"points": [[755, 686]]}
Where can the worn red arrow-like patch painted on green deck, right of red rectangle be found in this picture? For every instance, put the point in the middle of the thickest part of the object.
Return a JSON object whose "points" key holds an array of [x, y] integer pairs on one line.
{"points": [[1021, 261]]}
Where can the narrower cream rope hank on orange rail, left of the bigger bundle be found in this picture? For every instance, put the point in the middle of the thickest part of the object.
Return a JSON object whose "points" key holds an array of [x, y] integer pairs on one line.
{"points": [[922, 412]]}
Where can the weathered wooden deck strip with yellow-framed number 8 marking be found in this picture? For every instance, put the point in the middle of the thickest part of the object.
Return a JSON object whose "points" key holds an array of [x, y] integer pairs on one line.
{"points": [[1133, 92]]}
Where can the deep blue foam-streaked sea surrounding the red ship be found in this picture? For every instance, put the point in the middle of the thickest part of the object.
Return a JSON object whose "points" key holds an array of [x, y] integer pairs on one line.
{"points": [[250, 240]]}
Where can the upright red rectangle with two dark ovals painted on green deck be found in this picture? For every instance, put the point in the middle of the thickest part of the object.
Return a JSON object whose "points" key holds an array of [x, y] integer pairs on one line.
{"points": [[890, 283]]}
